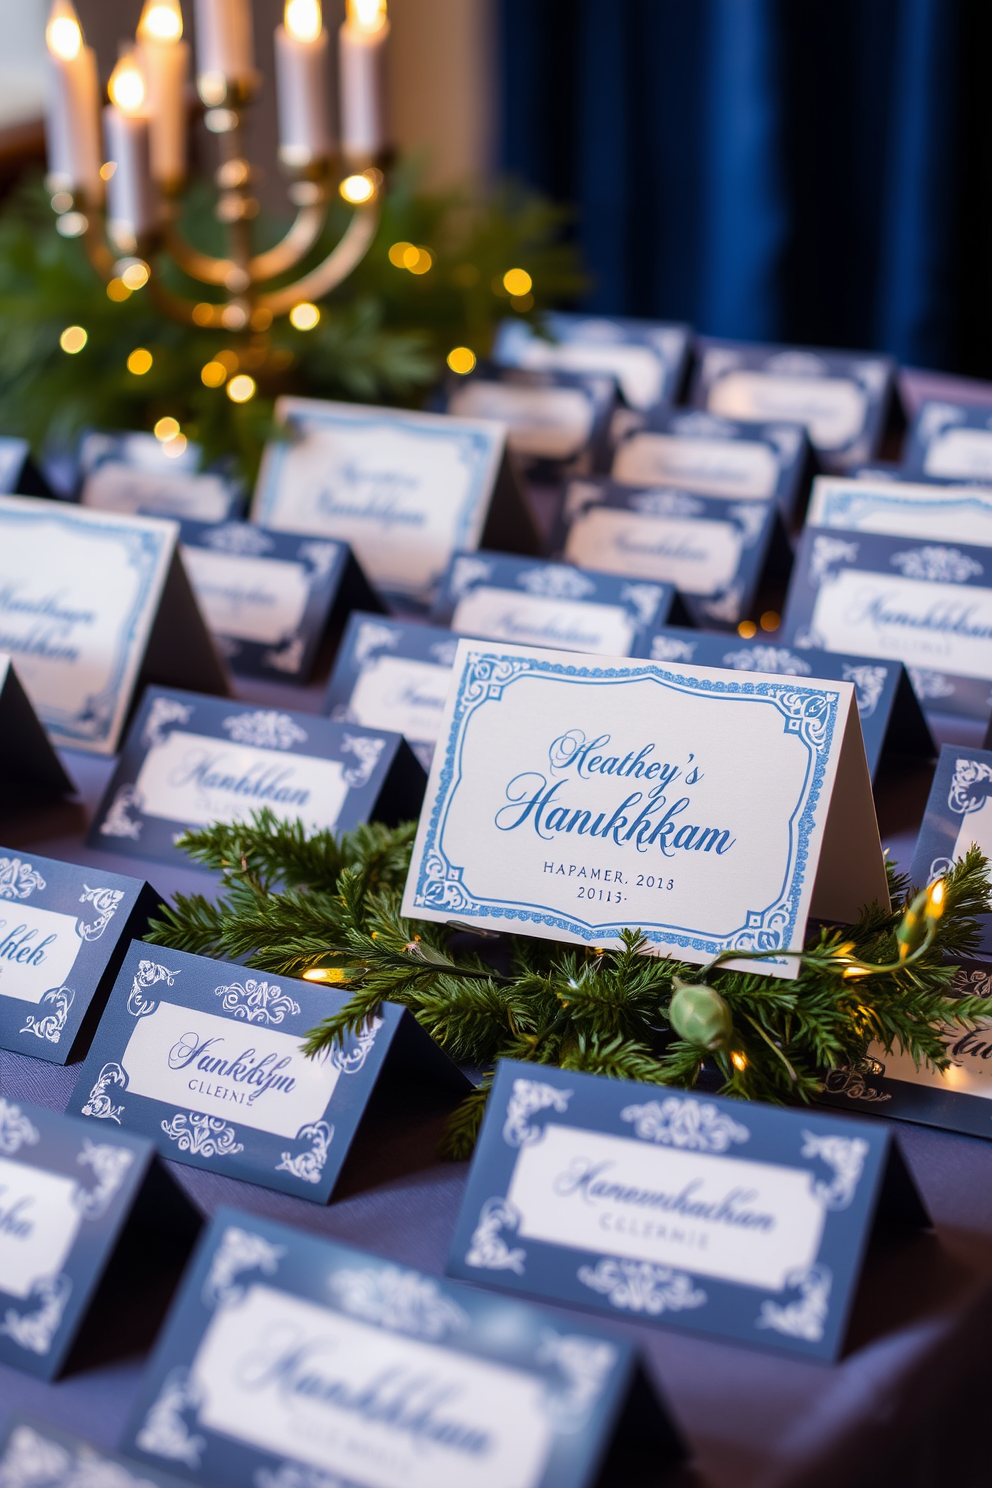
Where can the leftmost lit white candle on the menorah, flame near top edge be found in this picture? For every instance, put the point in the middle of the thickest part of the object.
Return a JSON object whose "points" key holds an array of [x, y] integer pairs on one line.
{"points": [[72, 123]]}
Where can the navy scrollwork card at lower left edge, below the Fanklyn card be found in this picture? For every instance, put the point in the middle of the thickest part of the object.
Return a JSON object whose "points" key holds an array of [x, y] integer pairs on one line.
{"points": [[66, 1199]]}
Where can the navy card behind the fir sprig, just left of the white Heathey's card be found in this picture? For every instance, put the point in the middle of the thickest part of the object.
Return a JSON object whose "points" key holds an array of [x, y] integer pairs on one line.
{"points": [[190, 761]]}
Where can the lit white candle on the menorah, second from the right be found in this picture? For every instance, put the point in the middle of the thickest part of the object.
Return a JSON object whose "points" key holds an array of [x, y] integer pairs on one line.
{"points": [[301, 81]]}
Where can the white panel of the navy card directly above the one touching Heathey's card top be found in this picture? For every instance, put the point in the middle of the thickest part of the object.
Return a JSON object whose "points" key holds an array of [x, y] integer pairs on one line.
{"points": [[697, 556]]}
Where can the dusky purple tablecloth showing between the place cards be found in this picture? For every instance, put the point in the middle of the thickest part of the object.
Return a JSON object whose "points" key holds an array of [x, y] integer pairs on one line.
{"points": [[898, 1408]]}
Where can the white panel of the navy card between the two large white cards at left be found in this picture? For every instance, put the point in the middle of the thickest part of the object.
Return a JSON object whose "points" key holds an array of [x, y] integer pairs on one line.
{"points": [[252, 599]]}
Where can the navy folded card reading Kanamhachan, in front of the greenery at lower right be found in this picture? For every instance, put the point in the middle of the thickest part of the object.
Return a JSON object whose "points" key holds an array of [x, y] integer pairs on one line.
{"points": [[727, 1218]]}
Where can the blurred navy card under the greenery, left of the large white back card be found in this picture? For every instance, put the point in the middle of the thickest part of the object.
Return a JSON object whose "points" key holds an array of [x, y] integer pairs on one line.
{"points": [[142, 475]]}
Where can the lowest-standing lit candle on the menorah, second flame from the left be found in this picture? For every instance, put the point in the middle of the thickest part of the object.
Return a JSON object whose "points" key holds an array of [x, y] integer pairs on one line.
{"points": [[132, 203]]}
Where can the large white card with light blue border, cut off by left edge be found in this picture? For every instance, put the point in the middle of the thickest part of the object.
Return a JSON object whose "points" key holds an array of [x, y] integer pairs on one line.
{"points": [[91, 608]]}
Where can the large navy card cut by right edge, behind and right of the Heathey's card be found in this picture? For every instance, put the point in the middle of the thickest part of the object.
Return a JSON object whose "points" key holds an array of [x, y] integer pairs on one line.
{"points": [[902, 599]]}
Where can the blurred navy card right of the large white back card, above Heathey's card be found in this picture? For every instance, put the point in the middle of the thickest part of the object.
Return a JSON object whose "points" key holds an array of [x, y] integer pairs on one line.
{"points": [[713, 551]]}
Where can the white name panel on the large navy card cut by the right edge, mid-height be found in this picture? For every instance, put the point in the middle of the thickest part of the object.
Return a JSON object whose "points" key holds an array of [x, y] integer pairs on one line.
{"points": [[921, 623]]}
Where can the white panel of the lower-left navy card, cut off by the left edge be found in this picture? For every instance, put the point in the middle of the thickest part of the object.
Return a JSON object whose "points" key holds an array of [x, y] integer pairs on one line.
{"points": [[39, 1222]]}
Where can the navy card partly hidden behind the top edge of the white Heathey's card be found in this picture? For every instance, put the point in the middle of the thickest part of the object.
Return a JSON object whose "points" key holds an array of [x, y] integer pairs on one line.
{"points": [[533, 603]]}
